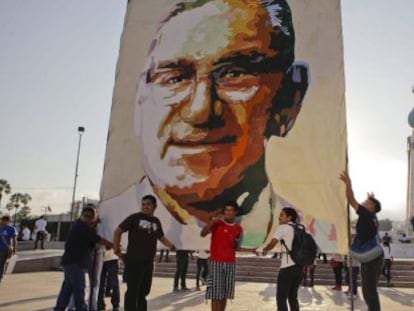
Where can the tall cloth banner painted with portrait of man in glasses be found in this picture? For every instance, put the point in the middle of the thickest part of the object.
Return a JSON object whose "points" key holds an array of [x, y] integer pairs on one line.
{"points": [[229, 100]]}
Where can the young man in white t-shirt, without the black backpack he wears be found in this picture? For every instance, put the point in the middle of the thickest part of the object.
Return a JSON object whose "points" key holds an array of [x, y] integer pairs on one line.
{"points": [[290, 274]]}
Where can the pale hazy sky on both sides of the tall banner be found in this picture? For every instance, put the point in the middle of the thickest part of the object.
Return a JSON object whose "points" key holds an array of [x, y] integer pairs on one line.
{"points": [[57, 72]]}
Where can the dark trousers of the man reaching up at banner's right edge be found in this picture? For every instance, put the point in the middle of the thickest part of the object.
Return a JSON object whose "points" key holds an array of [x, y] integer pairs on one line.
{"points": [[370, 273]]}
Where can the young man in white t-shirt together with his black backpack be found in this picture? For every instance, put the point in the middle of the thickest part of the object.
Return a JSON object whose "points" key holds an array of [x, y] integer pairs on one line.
{"points": [[291, 272]]}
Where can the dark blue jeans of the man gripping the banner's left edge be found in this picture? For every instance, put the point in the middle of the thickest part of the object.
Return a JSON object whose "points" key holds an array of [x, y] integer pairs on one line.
{"points": [[73, 283]]}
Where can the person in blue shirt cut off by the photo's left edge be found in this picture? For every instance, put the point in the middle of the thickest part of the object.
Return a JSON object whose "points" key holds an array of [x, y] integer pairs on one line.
{"points": [[8, 239]]}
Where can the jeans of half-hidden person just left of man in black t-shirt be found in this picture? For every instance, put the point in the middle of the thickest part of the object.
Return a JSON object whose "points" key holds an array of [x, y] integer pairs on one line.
{"points": [[109, 276]]}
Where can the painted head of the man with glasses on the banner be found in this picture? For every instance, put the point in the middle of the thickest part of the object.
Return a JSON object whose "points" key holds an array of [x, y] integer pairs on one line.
{"points": [[211, 96]]}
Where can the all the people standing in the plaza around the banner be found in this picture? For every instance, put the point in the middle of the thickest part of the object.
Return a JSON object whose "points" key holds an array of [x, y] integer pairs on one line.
{"points": [[216, 267]]}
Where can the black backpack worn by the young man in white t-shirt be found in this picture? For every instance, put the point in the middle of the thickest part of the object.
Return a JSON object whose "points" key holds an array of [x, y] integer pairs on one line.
{"points": [[304, 247]]}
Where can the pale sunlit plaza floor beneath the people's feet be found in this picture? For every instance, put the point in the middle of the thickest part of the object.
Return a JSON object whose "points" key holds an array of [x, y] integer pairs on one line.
{"points": [[38, 291]]}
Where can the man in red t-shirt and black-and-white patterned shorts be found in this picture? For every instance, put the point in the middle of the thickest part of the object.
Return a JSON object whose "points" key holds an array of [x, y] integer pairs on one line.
{"points": [[225, 234]]}
